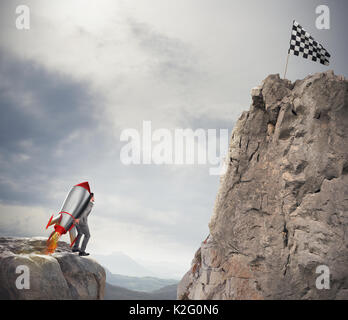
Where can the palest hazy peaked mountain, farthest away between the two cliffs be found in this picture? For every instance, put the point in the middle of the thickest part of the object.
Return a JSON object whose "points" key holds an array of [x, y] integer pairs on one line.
{"points": [[119, 263]]}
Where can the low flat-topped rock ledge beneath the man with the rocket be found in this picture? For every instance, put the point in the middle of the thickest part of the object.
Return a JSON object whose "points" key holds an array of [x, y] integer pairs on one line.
{"points": [[62, 275]]}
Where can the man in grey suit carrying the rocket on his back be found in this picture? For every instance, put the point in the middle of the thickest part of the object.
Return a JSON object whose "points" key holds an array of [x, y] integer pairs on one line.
{"points": [[82, 229]]}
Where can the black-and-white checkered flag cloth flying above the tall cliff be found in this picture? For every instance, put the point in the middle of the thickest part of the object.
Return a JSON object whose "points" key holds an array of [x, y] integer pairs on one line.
{"points": [[303, 44]]}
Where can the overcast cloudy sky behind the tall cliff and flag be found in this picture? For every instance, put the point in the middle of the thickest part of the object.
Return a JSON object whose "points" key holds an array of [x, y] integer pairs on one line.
{"points": [[86, 71]]}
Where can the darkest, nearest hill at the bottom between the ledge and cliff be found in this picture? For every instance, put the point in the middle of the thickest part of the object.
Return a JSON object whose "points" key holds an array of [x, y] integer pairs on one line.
{"points": [[113, 292]]}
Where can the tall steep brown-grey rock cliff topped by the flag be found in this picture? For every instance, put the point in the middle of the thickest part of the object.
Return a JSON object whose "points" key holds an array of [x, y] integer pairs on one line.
{"points": [[282, 207]]}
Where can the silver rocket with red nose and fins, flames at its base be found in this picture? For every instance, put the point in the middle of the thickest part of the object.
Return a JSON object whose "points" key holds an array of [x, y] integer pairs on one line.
{"points": [[65, 221]]}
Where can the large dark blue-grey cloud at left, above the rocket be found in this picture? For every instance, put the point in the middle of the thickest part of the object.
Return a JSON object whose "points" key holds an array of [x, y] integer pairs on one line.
{"points": [[40, 111]]}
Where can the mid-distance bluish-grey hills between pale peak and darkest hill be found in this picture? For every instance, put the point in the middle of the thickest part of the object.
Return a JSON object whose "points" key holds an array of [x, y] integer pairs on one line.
{"points": [[145, 284]]}
